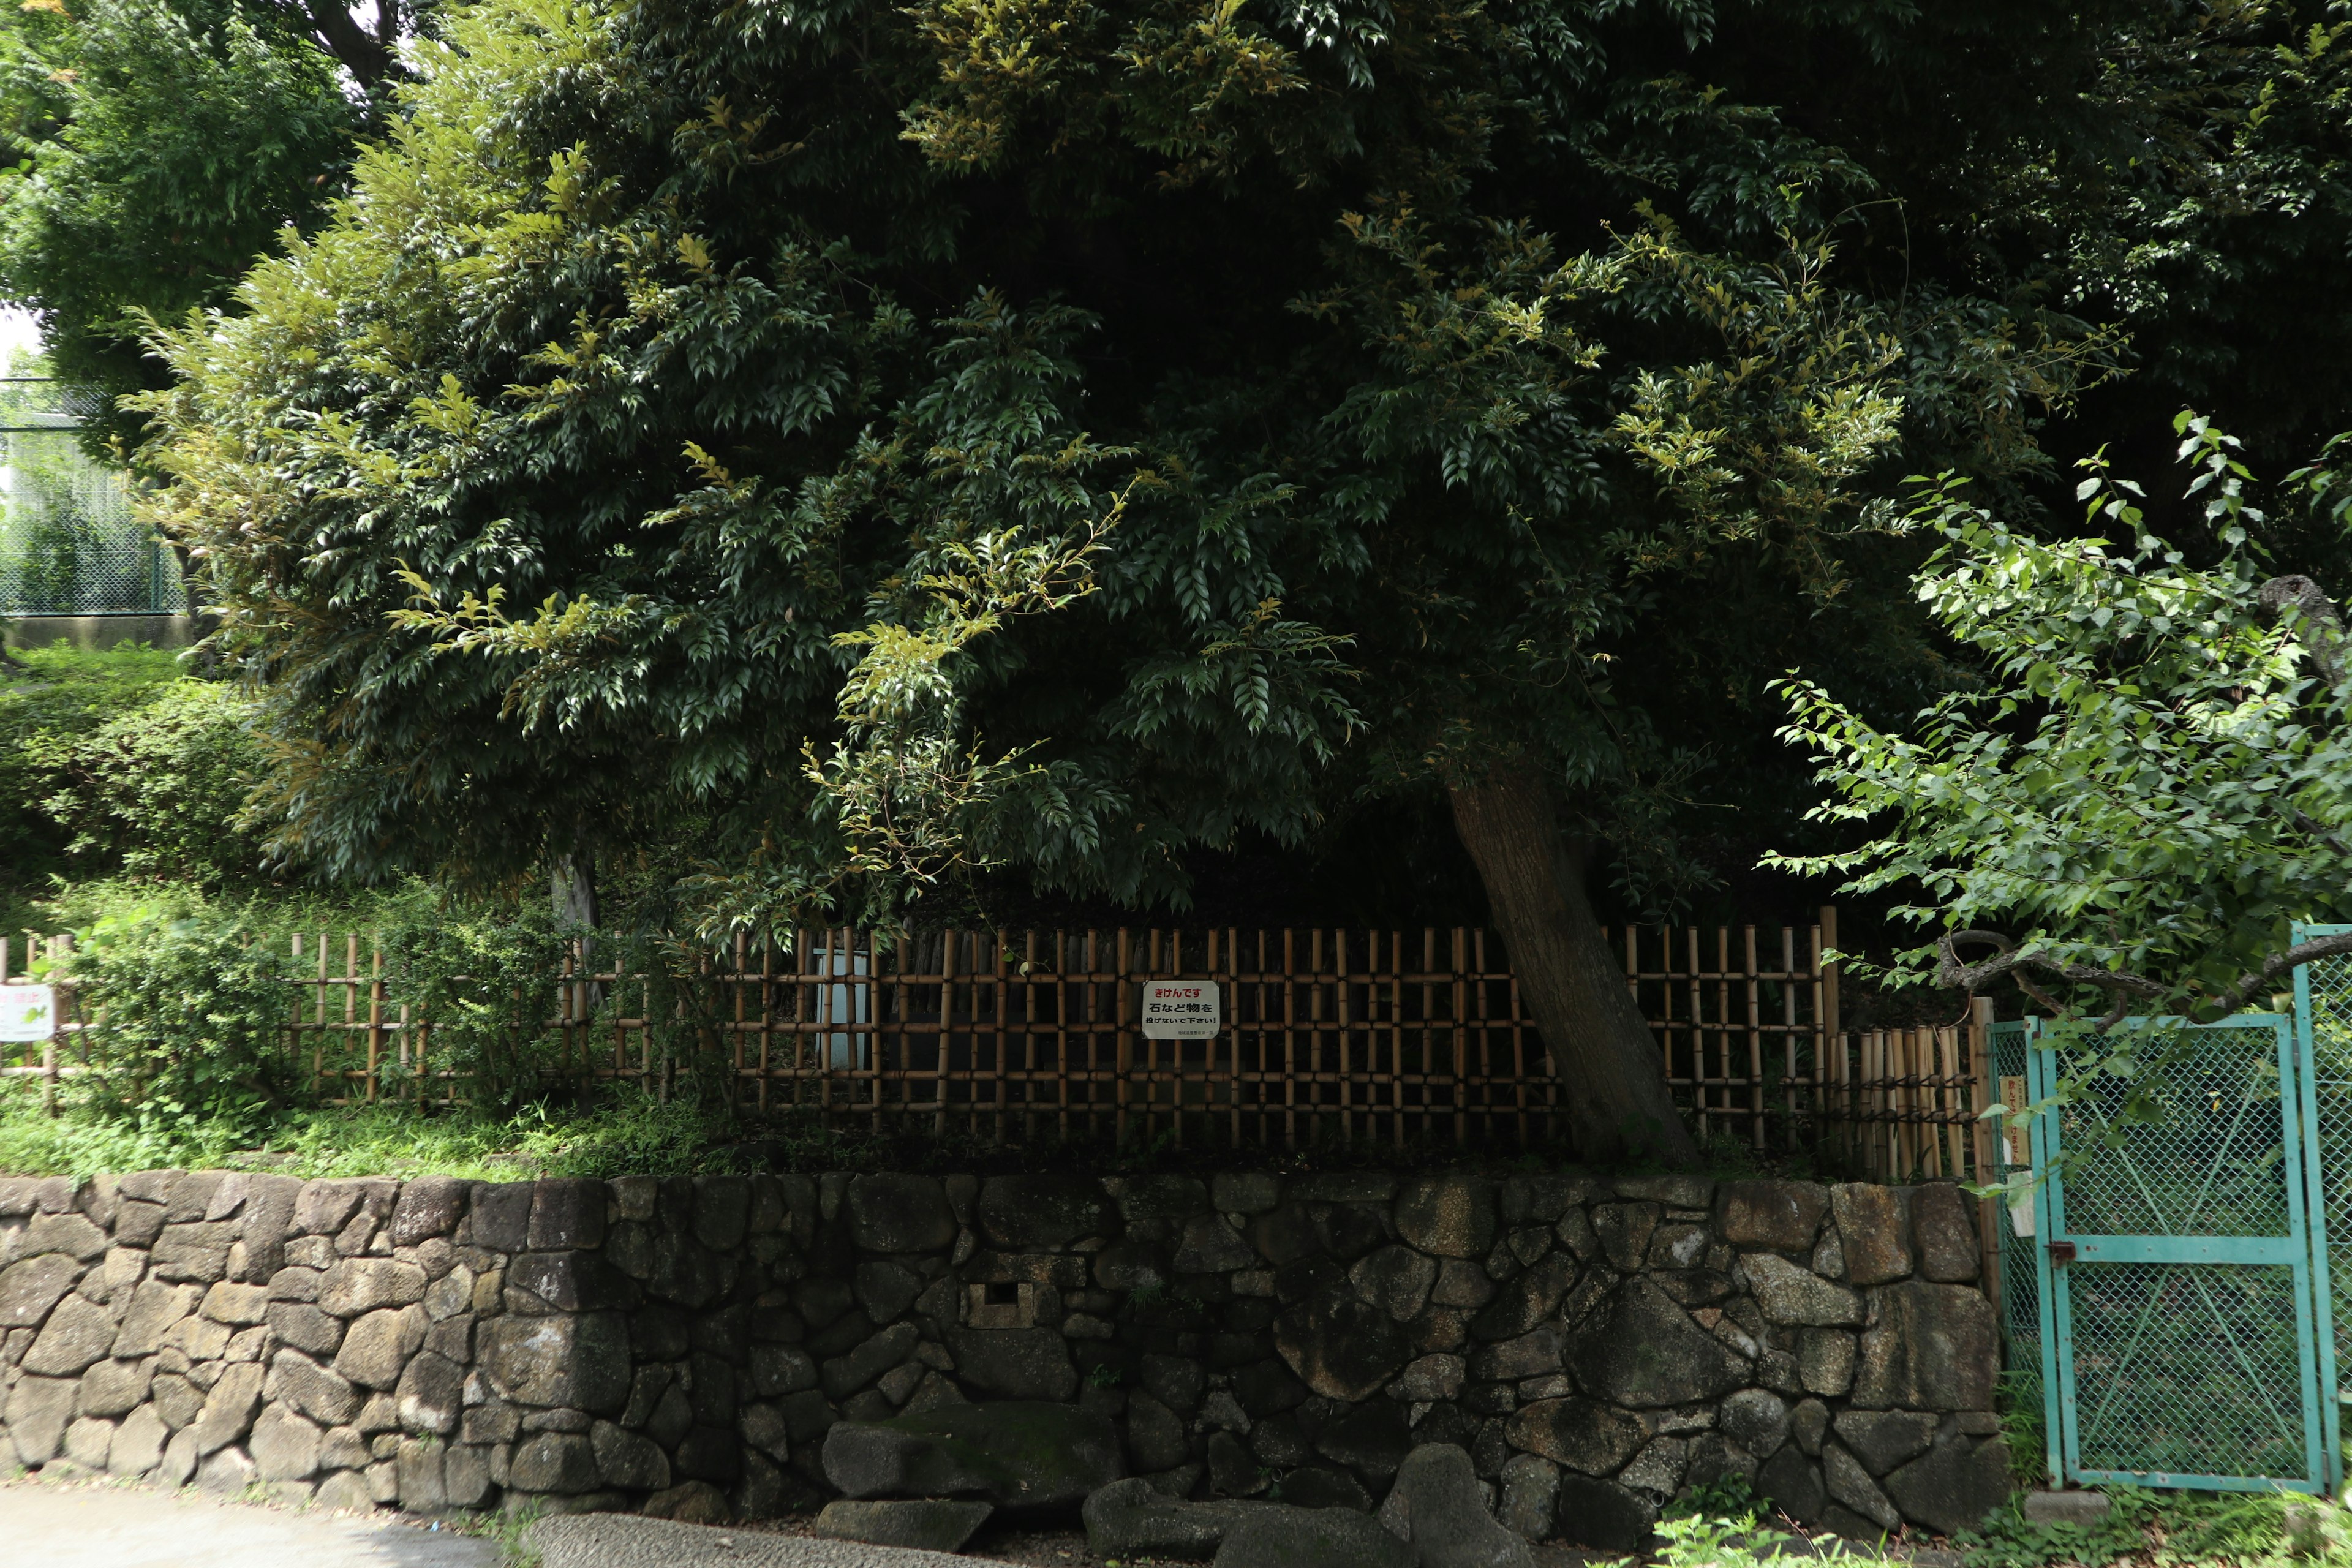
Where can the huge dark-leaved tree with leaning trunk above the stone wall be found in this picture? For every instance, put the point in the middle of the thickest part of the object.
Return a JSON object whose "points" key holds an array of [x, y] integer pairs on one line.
{"points": [[1074, 438]]}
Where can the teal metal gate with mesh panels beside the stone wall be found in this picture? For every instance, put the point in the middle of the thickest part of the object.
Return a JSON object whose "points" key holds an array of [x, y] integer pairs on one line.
{"points": [[2177, 1280]]}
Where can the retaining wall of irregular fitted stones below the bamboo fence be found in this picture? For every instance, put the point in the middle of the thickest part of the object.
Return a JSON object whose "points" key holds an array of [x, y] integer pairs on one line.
{"points": [[683, 1346]]}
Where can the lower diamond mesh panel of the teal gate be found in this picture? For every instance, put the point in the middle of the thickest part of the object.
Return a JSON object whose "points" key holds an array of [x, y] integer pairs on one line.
{"points": [[2186, 1369]]}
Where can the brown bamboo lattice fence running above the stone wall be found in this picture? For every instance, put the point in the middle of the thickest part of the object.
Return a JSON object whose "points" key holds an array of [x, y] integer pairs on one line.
{"points": [[1330, 1038]]}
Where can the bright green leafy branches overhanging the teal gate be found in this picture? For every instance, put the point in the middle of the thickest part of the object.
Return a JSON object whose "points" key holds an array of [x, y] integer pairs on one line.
{"points": [[2151, 786]]}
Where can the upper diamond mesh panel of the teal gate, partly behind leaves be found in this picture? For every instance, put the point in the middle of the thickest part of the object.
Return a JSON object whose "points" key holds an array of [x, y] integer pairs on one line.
{"points": [[2212, 1162]]}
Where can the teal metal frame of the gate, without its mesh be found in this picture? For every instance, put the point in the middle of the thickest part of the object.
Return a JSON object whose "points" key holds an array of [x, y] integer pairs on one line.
{"points": [[2313, 1306]]}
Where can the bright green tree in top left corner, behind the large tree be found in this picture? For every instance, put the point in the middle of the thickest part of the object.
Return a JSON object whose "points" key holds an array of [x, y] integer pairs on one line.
{"points": [[154, 149]]}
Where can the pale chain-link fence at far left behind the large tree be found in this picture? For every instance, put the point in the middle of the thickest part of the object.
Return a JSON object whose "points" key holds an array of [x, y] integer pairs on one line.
{"points": [[69, 542]]}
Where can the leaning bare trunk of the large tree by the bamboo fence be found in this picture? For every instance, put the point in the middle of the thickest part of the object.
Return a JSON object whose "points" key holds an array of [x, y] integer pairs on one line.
{"points": [[1603, 1052]]}
